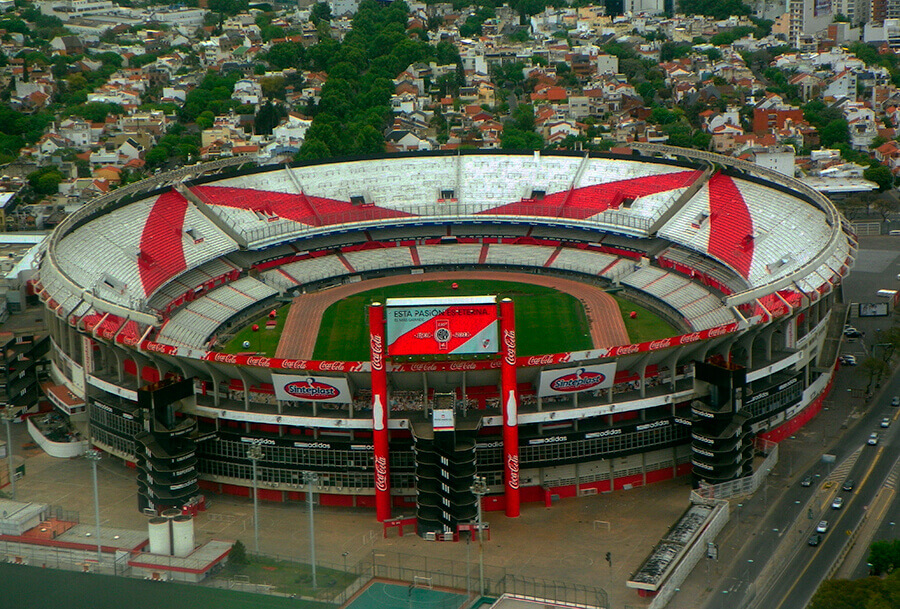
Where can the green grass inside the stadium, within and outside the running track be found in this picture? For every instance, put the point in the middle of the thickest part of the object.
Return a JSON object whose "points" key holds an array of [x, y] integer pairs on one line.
{"points": [[547, 320]]}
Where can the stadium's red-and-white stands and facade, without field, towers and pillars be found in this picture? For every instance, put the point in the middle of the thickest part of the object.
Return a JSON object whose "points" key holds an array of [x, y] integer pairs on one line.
{"points": [[140, 285]]}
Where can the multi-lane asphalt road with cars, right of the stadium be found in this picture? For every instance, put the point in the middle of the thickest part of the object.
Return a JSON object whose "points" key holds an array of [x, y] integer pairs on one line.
{"points": [[776, 568]]}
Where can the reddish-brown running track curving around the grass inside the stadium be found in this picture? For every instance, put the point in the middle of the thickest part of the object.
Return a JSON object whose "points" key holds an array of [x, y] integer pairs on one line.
{"points": [[298, 339]]}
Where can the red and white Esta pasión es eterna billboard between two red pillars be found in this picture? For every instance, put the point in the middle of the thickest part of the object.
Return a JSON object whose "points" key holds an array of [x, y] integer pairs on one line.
{"points": [[441, 326]]}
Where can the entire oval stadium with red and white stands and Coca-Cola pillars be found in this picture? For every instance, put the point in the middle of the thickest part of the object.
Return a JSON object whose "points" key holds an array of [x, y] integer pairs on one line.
{"points": [[641, 315]]}
